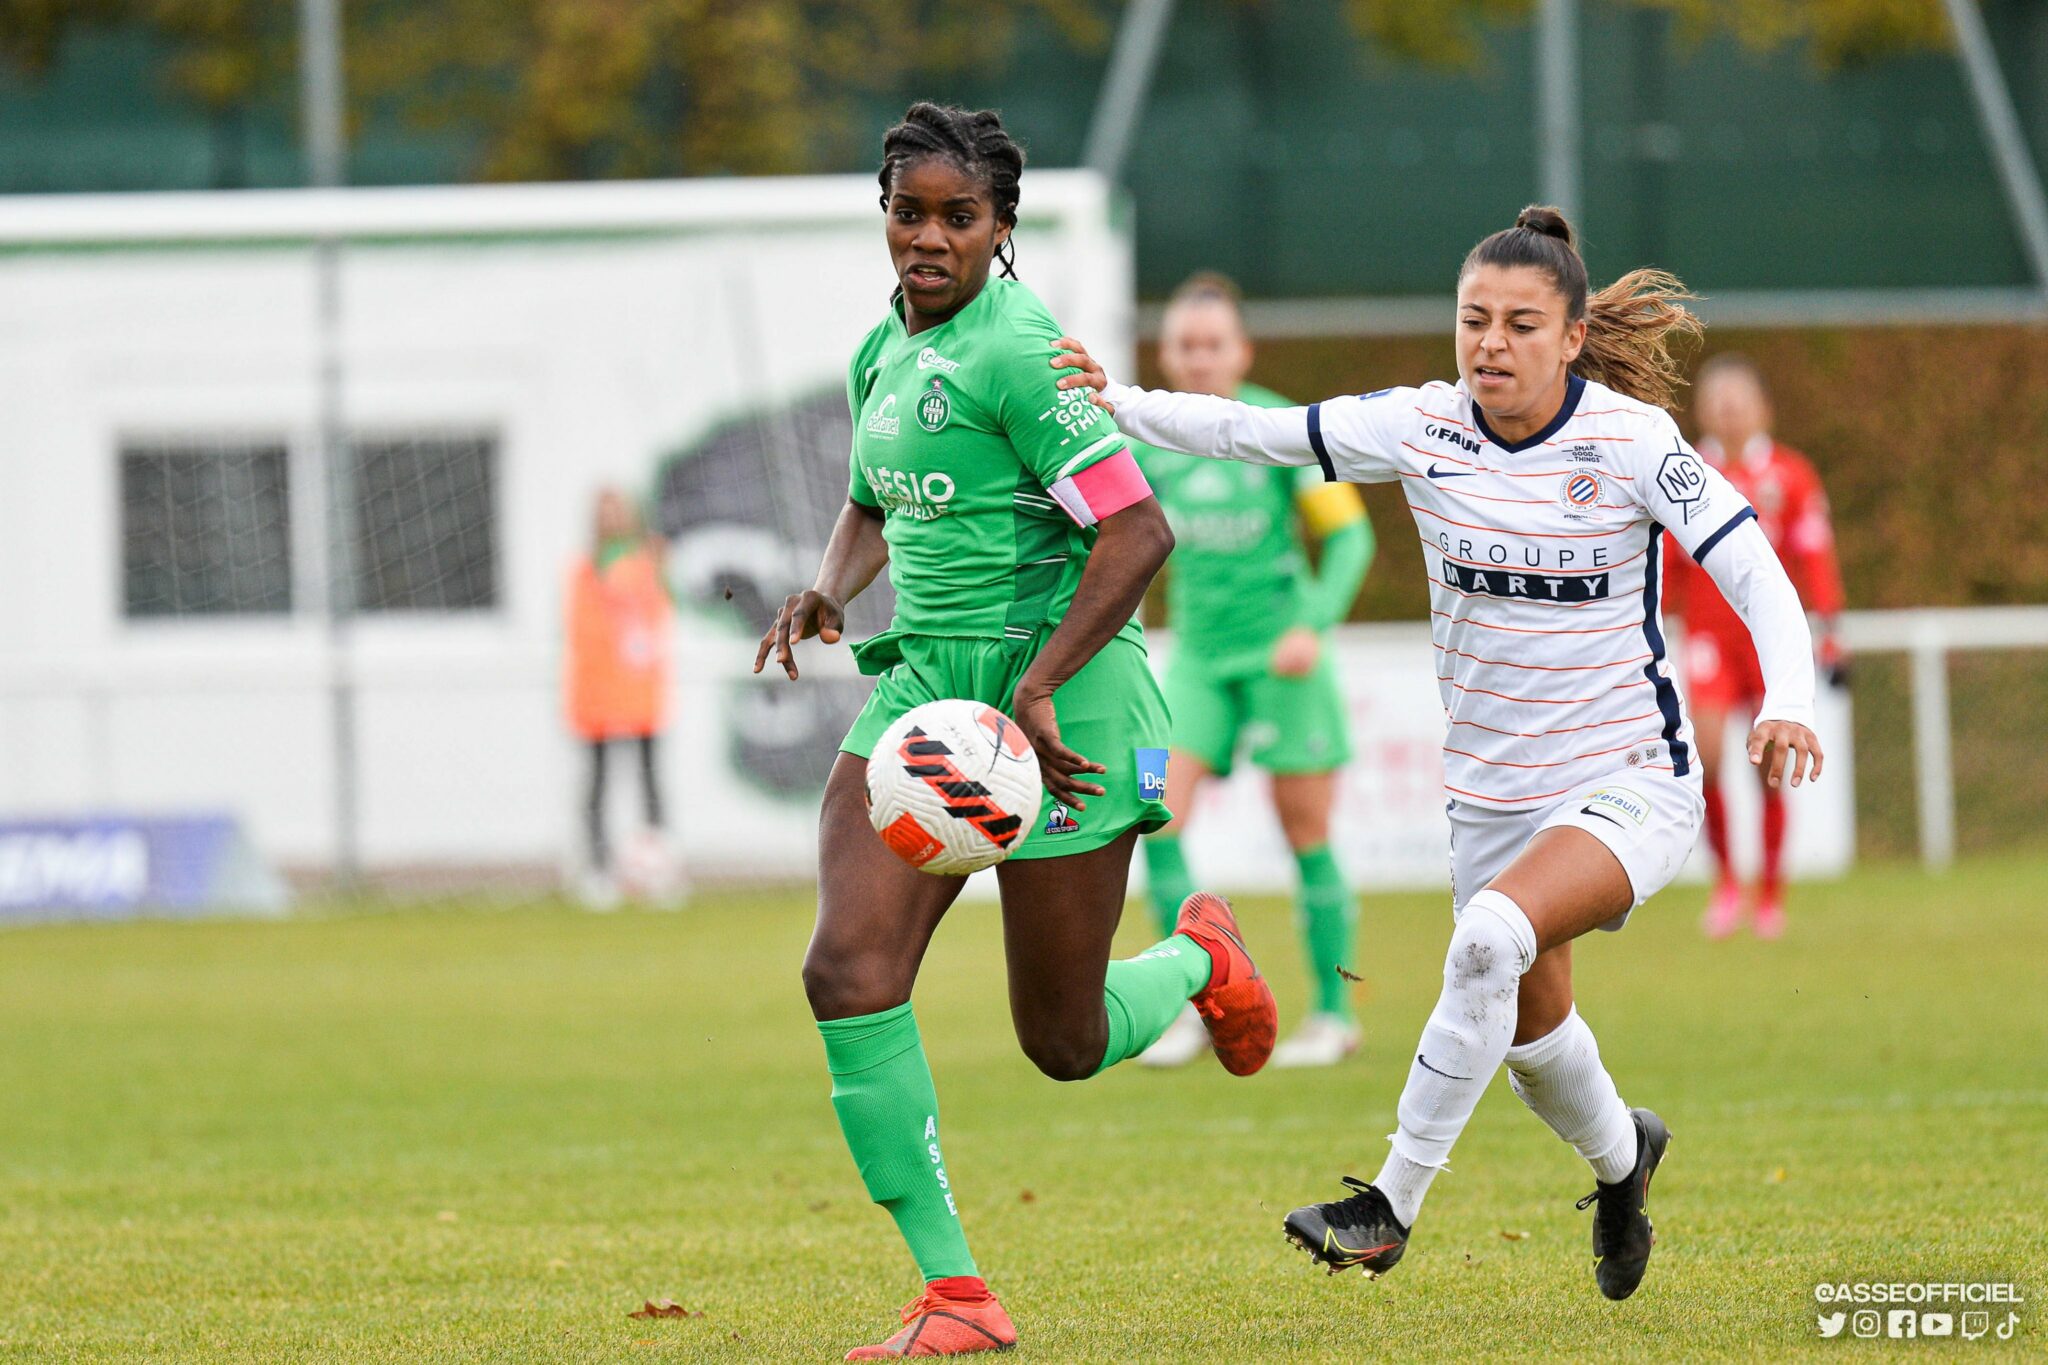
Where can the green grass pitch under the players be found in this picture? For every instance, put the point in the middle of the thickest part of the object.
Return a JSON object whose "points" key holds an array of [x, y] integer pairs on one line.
{"points": [[486, 1135]]}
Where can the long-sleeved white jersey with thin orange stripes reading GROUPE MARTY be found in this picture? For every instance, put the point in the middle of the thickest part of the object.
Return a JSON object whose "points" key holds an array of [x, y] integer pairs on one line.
{"points": [[1543, 560]]}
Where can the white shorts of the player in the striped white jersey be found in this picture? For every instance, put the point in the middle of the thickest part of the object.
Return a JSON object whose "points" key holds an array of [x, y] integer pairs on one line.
{"points": [[1648, 820]]}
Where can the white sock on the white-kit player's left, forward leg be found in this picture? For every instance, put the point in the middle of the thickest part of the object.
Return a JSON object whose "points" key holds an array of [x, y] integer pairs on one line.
{"points": [[1461, 1047]]}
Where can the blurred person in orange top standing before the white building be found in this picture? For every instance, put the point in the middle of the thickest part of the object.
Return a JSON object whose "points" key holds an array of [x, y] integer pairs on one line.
{"points": [[617, 685]]}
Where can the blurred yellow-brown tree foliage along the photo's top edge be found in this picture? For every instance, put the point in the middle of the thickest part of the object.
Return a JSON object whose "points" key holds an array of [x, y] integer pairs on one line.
{"points": [[587, 89]]}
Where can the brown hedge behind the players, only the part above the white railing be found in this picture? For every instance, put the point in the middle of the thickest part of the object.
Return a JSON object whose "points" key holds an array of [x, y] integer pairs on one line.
{"points": [[1932, 441]]}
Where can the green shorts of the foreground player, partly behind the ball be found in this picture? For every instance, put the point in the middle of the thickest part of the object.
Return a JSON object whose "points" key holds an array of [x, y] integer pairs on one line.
{"points": [[1109, 713]]}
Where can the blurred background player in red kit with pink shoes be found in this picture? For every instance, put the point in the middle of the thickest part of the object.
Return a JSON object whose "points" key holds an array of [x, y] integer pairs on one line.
{"points": [[1721, 664]]}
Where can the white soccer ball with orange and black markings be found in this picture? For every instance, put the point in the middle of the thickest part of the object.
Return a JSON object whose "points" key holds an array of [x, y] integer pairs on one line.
{"points": [[953, 787]]}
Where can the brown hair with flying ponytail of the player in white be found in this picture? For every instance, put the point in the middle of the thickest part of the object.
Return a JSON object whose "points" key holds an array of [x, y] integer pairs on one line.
{"points": [[1629, 324]]}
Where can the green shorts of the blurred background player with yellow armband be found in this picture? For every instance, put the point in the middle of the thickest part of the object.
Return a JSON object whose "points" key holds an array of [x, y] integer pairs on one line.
{"points": [[1291, 725]]}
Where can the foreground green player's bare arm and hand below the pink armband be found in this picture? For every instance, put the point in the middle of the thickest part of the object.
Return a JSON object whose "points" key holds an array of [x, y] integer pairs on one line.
{"points": [[1132, 545]]}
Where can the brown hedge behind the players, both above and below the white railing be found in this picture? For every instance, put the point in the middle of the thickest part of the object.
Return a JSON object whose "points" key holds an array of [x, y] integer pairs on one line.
{"points": [[1934, 447]]}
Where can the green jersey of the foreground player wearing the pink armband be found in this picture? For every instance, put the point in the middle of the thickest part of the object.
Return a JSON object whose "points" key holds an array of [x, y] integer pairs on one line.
{"points": [[959, 435]]}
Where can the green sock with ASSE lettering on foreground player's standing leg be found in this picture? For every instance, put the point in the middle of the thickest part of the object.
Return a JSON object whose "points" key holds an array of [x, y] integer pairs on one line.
{"points": [[882, 1088]]}
